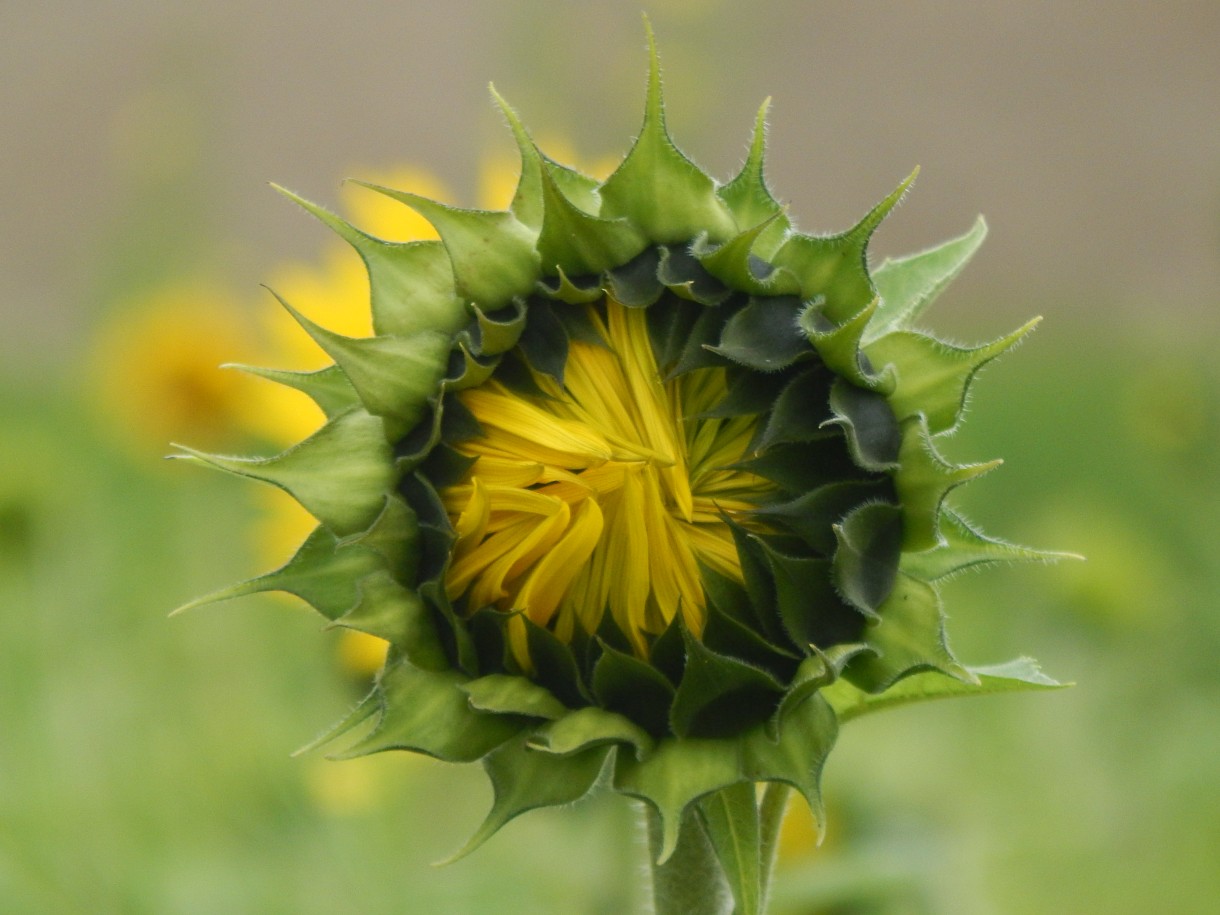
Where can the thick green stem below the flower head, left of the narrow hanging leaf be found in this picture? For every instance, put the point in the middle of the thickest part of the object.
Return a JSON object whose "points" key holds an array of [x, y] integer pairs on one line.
{"points": [[691, 881]]}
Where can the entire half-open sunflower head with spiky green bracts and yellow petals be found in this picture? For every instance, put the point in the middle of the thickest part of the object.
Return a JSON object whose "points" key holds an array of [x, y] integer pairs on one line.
{"points": [[819, 534]]}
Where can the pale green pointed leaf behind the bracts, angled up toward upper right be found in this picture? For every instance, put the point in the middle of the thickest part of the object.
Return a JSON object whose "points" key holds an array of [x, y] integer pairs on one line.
{"points": [[910, 285]]}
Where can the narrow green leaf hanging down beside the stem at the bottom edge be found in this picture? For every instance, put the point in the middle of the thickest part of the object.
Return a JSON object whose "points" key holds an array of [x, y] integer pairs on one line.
{"points": [[731, 818]]}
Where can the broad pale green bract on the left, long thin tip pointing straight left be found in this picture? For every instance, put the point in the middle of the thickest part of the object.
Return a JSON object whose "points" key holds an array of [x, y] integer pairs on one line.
{"points": [[341, 474]]}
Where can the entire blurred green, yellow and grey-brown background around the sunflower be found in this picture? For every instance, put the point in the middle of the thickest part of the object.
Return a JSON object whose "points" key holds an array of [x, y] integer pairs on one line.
{"points": [[145, 762]]}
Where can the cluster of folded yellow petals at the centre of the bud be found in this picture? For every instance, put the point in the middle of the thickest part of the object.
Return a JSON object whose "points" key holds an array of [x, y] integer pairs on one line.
{"points": [[606, 495]]}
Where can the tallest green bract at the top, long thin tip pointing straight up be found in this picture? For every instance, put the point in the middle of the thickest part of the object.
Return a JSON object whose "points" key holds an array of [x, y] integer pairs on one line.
{"points": [[659, 190]]}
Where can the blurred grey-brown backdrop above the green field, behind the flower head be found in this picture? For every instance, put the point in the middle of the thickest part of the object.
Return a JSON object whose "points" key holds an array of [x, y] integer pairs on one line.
{"points": [[1089, 134]]}
